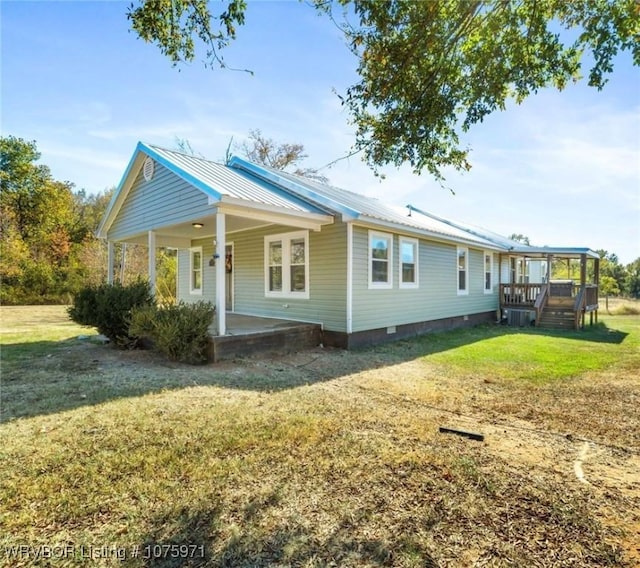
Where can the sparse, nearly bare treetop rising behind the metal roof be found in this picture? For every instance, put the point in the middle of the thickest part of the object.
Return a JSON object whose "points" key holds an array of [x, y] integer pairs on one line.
{"points": [[262, 150]]}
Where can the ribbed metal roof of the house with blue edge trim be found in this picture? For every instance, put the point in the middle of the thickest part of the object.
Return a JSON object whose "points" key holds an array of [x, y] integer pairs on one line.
{"points": [[258, 184]]}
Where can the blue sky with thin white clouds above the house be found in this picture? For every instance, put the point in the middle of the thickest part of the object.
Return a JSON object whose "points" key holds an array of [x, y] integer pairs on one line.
{"points": [[562, 168]]}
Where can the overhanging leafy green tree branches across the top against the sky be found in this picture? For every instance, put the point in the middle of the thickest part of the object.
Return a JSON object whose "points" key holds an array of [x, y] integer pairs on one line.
{"points": [[430, 70]]}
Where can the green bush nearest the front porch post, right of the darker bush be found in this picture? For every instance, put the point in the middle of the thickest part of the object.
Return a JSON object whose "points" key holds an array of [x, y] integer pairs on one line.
{"points": [[180, 332]]}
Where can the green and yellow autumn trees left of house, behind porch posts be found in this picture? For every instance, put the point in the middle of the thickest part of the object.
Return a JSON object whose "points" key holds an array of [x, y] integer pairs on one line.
{"points": [[48, 249]]}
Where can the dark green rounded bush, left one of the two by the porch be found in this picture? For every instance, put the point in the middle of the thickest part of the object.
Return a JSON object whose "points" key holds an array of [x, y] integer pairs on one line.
{"points": [[108, 307]]}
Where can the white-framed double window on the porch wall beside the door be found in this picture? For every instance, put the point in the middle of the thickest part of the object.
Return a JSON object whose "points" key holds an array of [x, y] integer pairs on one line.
{"points": [[286, 262]]}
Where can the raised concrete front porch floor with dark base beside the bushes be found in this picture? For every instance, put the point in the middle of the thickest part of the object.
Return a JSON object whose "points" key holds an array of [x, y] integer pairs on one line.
{"points": [[250, 335]]}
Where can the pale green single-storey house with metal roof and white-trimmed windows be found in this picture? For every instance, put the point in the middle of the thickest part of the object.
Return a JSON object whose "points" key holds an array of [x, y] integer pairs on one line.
{"points": [[263, 243]]}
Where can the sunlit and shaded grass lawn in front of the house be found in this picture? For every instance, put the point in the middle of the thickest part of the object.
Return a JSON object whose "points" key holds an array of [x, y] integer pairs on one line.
{"points": [[325, 457]]}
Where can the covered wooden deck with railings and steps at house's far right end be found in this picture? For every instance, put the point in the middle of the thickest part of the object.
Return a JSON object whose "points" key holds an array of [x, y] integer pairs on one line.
{"points": [[551, 288]]}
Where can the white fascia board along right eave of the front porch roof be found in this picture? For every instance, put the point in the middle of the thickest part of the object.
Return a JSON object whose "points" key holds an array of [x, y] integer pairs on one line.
{"points": [[271, 213]]}
